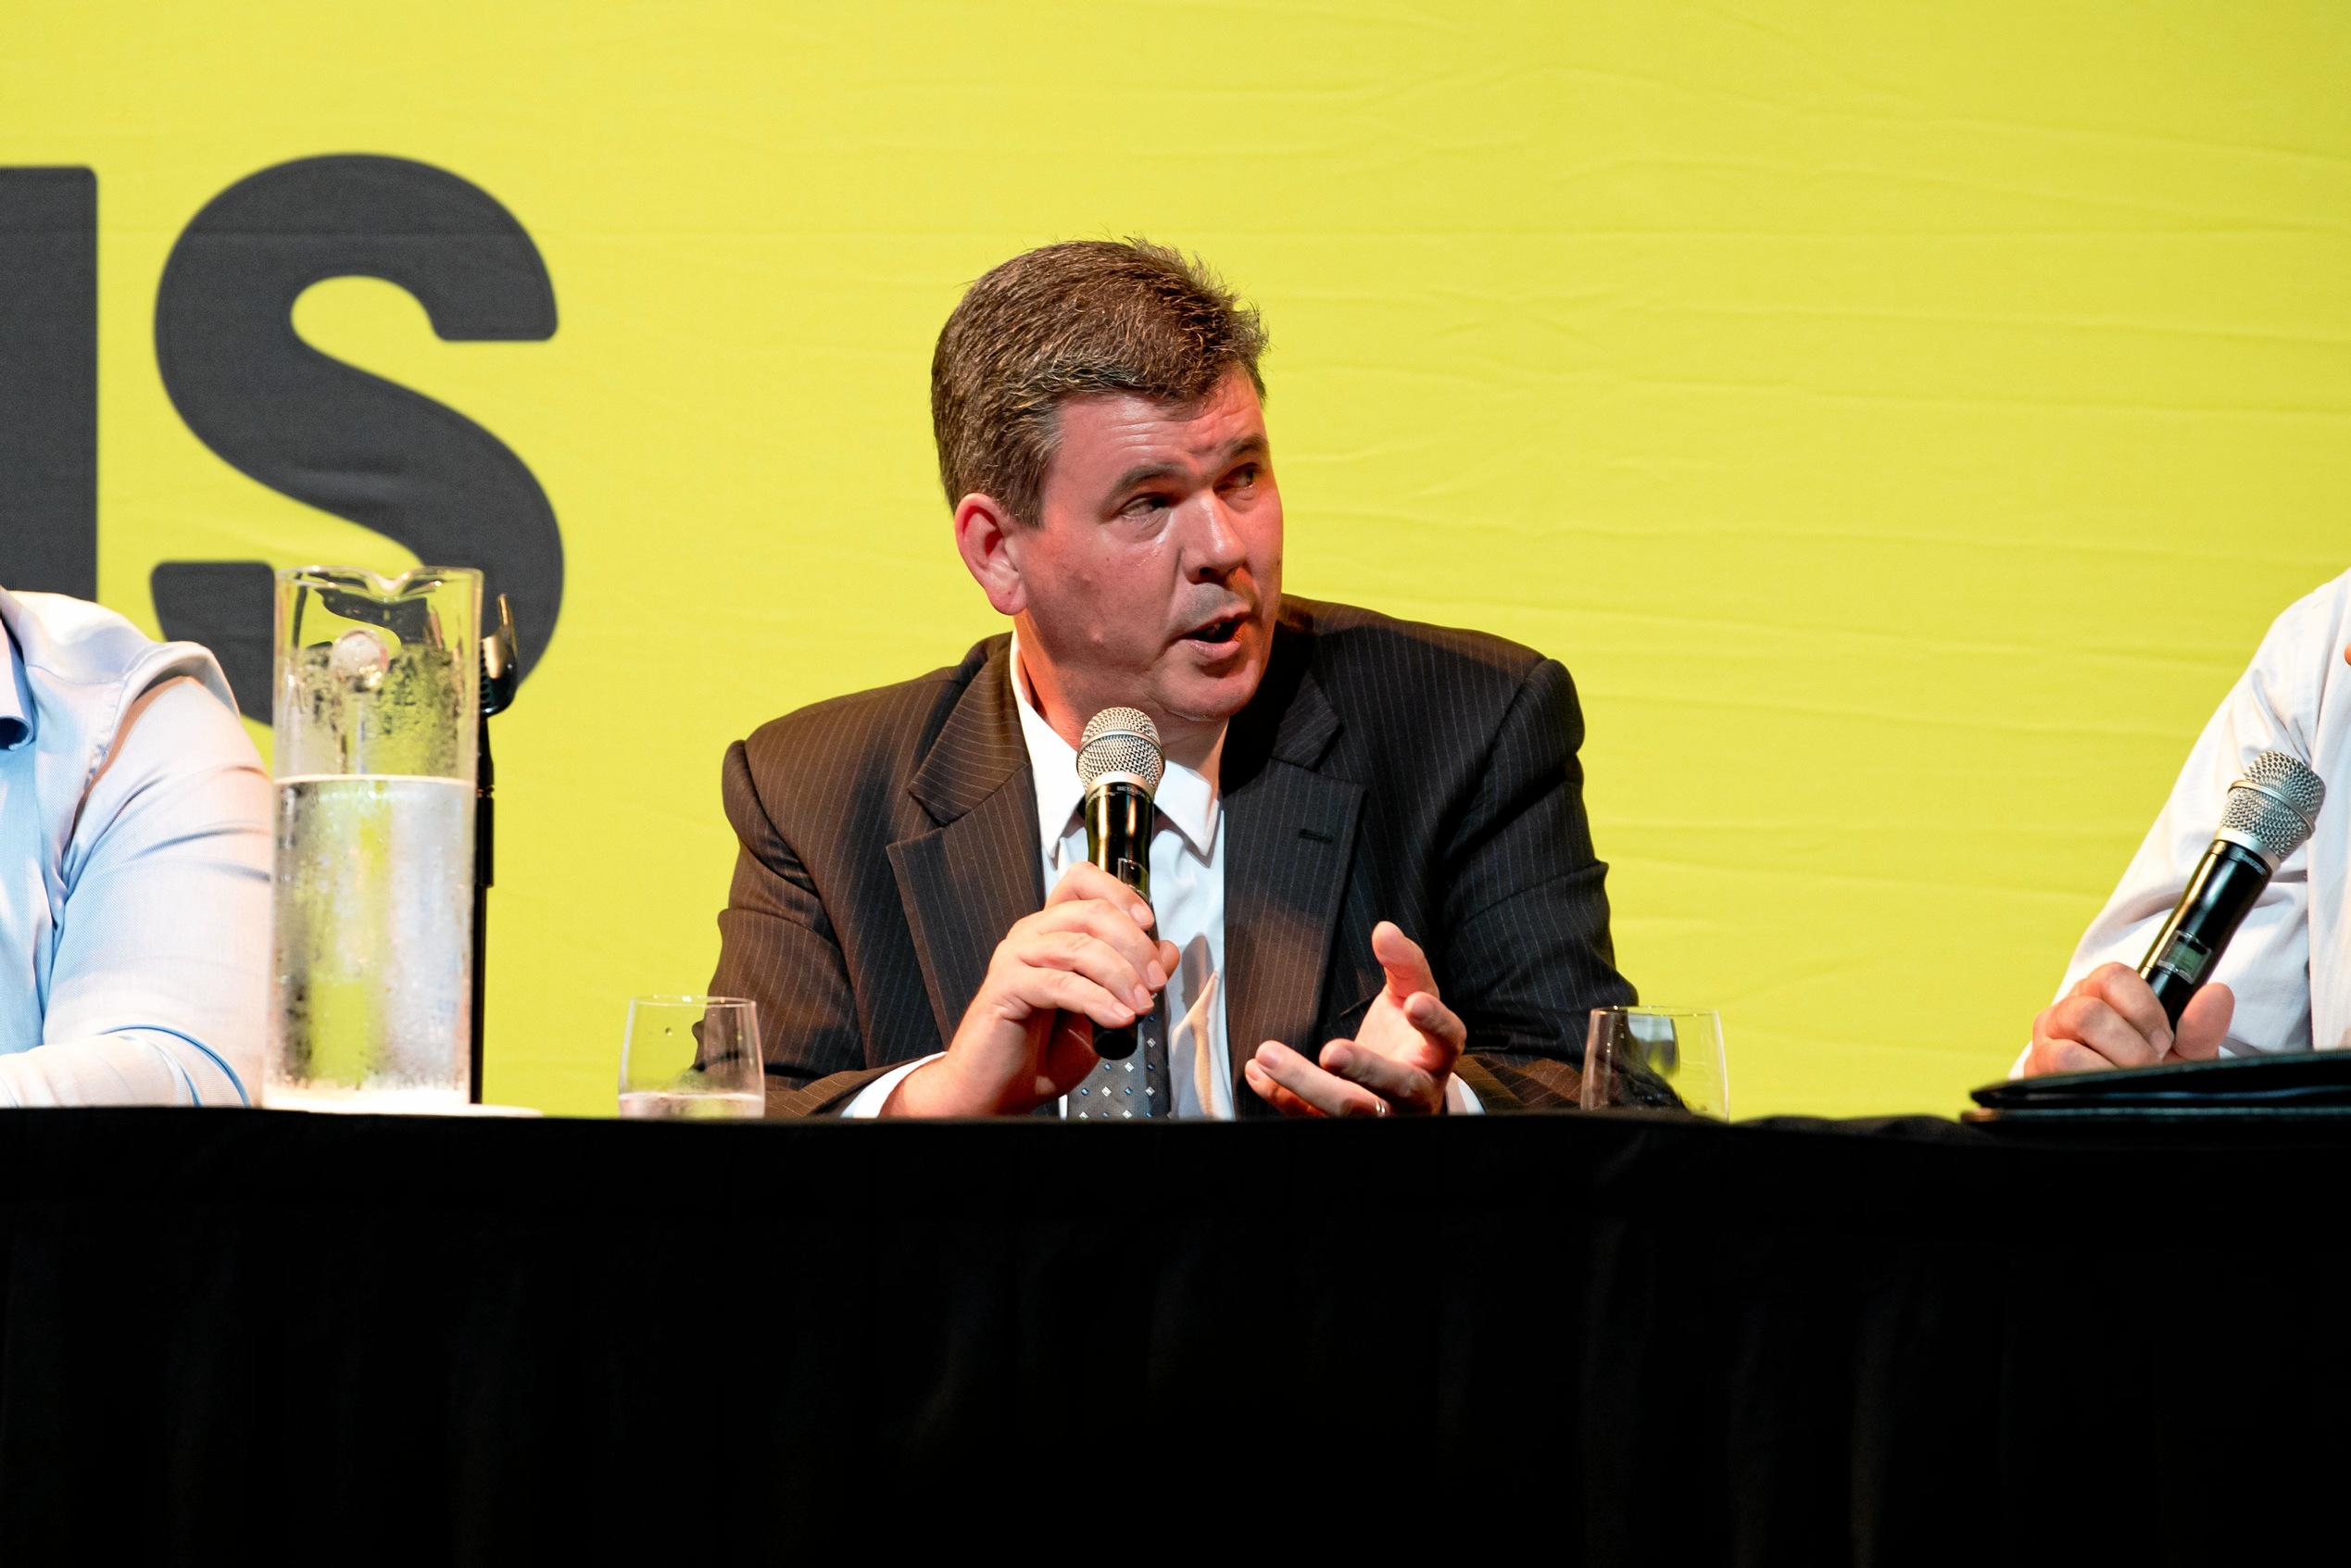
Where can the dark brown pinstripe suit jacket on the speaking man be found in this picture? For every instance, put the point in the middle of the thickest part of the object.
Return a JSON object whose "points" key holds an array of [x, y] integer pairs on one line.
{"points": [[1384, 772]]}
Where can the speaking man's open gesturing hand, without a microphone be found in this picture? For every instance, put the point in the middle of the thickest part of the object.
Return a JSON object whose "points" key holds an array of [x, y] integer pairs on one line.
{"points": [[1398, 1061]]}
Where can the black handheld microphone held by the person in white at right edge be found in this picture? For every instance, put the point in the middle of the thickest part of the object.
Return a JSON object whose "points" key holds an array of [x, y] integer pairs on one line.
{"points": [[2270, 815]]}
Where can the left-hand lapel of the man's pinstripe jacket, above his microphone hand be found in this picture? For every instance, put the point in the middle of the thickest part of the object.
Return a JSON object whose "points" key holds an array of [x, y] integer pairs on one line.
{"points": [[965, 883]]}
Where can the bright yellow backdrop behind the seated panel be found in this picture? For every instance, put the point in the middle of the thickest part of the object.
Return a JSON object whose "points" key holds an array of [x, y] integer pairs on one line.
{"points": [[1903, 420]]}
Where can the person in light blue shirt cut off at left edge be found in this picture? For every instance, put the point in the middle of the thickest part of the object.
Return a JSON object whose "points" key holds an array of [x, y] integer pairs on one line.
{"points": [[135, 869]]}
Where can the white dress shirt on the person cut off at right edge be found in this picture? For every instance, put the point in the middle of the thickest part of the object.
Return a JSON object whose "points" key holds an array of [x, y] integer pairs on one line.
{"points": [[2291, 960]]}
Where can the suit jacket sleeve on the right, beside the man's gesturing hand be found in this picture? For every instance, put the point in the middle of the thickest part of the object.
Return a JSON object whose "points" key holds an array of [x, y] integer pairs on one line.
{"points": [[1527, 913]]}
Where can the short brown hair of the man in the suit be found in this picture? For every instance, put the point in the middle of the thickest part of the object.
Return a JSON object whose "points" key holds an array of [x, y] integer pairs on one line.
{"points": [[1066, 321]]}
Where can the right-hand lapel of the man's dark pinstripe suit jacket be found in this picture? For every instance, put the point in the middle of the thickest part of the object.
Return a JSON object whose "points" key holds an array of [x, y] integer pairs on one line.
{"points": [[1287, 862]]}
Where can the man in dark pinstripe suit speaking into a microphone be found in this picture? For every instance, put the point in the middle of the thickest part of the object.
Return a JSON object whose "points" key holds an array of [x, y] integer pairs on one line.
{"points": [[1355, 808]]}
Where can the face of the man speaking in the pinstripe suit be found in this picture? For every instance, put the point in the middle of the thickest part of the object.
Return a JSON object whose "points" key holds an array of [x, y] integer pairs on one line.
{"points": [[1156, 565]]}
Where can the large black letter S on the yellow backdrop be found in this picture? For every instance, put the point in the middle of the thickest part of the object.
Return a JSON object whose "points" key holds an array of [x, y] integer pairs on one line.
{"points": [[333, 436]]}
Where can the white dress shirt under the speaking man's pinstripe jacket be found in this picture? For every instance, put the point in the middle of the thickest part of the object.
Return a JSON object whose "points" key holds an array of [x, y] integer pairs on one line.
{"points": [[1188, 906]]}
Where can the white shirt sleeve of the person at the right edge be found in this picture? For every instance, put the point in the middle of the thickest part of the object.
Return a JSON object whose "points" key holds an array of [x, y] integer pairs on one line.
{"points": [[2268, 965]]}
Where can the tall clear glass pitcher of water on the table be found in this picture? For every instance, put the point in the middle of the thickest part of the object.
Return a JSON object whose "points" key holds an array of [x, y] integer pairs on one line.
{"points": [[377, 716]]}
